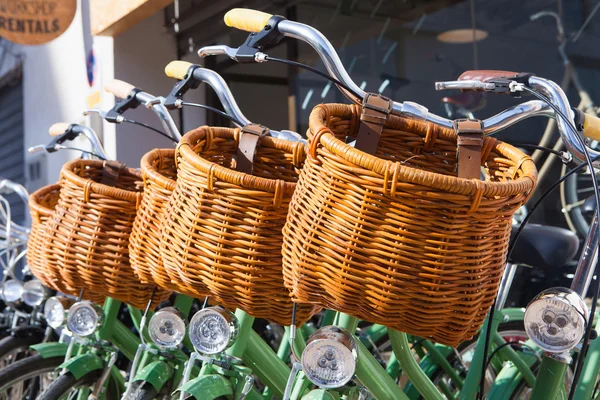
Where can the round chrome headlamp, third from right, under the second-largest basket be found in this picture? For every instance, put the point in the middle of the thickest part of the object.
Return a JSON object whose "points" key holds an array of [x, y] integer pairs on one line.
{"points": [[213, 330]]}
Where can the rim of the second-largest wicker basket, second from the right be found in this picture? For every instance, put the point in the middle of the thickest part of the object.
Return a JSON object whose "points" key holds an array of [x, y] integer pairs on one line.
{"points": [[184, 148]]}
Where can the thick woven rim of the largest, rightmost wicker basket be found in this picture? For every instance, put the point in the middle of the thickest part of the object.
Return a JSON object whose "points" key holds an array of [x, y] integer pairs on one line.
{"points": [[385, 168]]}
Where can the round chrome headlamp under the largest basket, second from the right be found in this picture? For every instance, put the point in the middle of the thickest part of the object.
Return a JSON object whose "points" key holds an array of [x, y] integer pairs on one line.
{"points": [[329, 359]]}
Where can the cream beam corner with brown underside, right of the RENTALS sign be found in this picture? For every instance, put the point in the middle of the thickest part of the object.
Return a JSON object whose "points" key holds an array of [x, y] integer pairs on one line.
{"points": [[111, 17]]}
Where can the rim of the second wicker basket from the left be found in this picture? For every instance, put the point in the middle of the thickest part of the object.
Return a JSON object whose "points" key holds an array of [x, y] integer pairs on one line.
{"points": [[99, 188]]}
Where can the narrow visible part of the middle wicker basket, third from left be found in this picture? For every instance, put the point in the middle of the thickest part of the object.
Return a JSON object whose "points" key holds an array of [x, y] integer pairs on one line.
{"points": [[159, 173]]}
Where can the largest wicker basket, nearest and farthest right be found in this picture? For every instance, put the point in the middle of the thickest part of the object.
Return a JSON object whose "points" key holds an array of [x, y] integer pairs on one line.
{"points": [[396, 238]]}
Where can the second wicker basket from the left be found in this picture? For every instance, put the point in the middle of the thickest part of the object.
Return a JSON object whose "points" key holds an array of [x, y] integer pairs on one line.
{"points": [[87, 237]]}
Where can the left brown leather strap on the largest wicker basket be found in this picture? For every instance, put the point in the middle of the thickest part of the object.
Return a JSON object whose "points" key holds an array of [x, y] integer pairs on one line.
{"points": [[376, 110]]}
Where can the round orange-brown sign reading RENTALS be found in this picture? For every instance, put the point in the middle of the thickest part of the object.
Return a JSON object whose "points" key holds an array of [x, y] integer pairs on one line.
{"points": [[35, 21]]}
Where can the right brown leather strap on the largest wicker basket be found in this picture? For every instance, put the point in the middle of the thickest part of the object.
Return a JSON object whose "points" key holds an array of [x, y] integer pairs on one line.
{"points": [[470, 142]]}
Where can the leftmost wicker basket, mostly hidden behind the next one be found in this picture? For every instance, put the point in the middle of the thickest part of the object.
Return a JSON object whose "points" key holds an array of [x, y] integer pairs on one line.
{"points": [[41, 206]]}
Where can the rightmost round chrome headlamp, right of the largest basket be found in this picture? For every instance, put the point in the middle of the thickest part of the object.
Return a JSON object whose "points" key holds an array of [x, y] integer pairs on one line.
{"points": [[556, 320]]}
